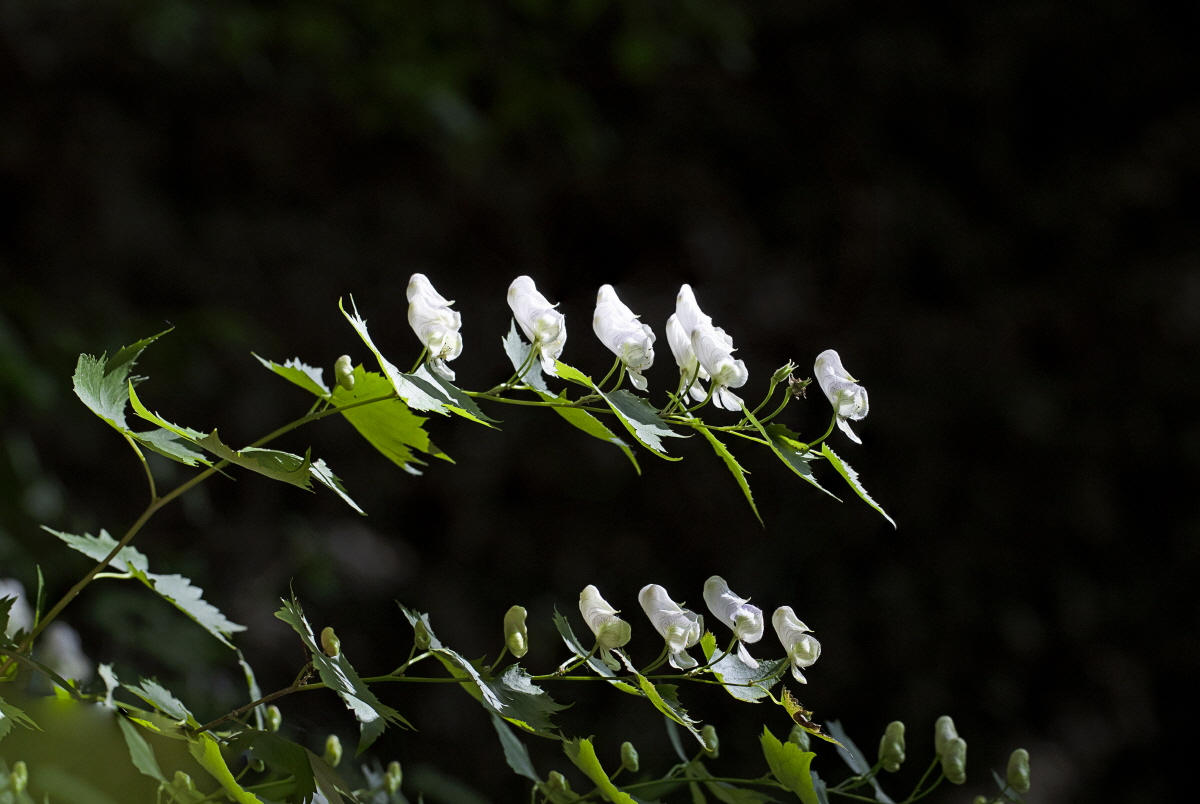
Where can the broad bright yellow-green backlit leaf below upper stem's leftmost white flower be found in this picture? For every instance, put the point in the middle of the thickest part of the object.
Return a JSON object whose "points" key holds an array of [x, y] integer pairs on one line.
{"points": [[389, 427]]}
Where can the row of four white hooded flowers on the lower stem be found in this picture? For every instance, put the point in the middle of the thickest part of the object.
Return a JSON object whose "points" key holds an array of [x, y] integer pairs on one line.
{"points": [[682, 628]]}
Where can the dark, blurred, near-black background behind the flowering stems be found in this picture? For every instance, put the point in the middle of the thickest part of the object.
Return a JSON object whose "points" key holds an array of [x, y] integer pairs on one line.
{"points": [[989, 212]]}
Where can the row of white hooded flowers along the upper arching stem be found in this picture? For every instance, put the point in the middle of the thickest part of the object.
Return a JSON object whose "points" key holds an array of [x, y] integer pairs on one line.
{"points": [[704, 353]]}
